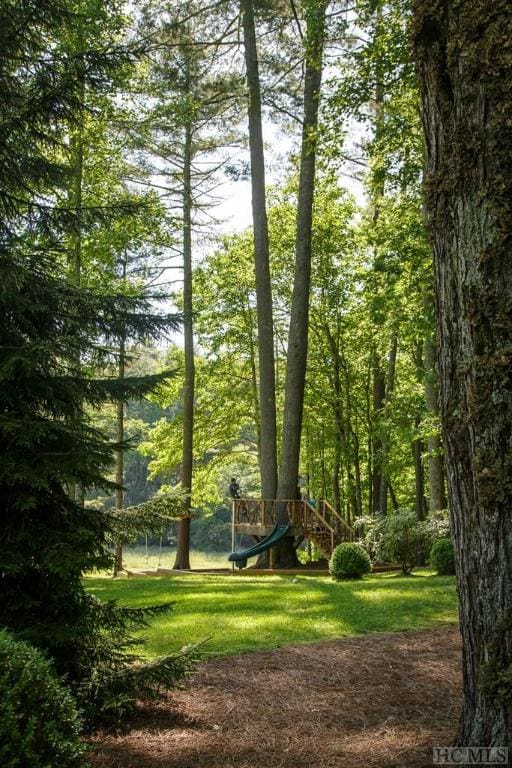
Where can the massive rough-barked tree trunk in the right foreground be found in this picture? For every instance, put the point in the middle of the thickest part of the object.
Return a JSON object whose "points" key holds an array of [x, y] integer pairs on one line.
{"points": [[465, 65]]}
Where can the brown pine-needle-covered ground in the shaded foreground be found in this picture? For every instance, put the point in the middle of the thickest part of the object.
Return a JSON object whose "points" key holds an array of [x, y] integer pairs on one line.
{"points": [[379, 701]]}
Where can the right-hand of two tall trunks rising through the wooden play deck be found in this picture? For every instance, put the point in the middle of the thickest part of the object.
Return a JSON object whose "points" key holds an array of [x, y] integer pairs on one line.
{"points": [[299, 318]]}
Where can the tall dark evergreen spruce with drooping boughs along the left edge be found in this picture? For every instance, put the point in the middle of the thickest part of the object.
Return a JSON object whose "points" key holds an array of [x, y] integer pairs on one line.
{"points": [[56, 335]]}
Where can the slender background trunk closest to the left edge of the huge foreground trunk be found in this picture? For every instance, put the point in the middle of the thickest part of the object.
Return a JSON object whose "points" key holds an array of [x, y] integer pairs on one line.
{"points": [[436, 480]]}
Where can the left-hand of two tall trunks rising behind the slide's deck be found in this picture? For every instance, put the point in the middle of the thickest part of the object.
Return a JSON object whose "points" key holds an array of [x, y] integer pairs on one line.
{"points": [[267, 383]]}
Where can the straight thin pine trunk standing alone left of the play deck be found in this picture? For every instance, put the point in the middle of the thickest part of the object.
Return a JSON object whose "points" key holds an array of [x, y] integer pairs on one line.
{"points": [[182, 561]]}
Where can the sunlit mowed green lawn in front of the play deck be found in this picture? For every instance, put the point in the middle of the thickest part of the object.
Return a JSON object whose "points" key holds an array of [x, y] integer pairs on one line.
{"points": [[245, 613]]}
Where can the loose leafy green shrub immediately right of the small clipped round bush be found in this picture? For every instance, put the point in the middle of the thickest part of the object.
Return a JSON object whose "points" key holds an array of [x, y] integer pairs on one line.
{"points": [[402, 539]]}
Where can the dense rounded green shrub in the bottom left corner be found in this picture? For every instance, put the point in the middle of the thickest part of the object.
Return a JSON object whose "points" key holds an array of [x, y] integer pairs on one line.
{"points": [[39, 723]]}
